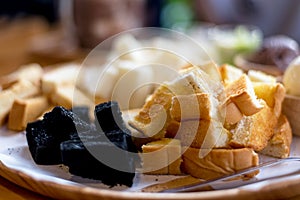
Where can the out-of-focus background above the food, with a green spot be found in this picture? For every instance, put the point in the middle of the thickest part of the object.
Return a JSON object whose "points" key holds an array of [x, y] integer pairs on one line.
{"points": [[52, 31]]}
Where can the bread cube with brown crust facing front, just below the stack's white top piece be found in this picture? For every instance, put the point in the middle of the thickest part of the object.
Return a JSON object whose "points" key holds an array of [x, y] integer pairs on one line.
{"points": [[190, 107]]}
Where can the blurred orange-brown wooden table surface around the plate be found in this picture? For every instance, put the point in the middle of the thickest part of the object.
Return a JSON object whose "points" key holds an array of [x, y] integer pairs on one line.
{"points": [[27, 41]]}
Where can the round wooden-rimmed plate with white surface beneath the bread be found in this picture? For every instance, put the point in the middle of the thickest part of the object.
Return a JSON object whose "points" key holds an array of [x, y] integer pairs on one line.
{"points": [[54, 181]]}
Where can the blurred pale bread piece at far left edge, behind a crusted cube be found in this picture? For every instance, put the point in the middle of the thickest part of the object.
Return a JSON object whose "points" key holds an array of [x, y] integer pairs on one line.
{"points": [[21, 89]]}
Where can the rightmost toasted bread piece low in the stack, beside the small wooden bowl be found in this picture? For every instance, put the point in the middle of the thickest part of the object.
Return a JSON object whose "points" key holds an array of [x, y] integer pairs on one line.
{"points": [[279, 145]]}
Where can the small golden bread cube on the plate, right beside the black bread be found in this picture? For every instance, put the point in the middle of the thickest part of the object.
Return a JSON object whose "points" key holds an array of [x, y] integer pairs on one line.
{"points": [[162, 157]]}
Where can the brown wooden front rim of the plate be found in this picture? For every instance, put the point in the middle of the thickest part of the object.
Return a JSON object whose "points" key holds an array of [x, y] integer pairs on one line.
{"points": [[61, 191]]}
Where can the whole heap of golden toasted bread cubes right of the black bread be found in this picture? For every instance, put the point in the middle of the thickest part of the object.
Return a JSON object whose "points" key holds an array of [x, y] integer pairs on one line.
{"points": [[211, 121]]}
